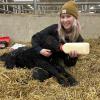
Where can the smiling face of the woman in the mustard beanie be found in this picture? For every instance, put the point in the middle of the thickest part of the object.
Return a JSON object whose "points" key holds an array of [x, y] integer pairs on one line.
{"points": [[66, 21]]}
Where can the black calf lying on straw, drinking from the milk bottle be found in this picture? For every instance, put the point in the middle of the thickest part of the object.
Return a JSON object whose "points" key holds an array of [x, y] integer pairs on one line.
{"points": [[43, 67]]}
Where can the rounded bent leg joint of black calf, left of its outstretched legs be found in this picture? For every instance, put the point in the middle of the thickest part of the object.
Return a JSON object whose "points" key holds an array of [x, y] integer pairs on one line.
{"points": [[40, 74]]}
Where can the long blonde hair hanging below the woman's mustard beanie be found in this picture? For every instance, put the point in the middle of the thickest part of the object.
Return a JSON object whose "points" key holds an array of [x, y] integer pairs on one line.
{"points": [[71, 36]]}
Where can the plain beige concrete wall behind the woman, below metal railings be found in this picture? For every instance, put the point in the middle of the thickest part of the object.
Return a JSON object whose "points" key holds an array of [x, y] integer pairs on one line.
{"points": [[22, 27]]}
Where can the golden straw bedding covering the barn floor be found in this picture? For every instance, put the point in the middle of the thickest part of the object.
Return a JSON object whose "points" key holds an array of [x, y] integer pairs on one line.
{"points": [[17, 84]]}
